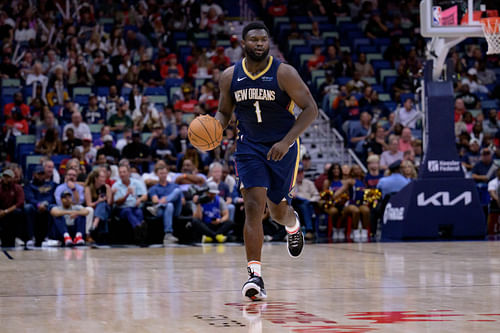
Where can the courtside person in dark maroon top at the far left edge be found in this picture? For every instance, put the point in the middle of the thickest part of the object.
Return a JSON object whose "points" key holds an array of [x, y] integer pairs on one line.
{"points": [[11, 205]]}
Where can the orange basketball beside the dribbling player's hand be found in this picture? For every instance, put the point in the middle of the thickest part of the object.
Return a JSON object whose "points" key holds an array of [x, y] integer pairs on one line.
{"points": [[205, 132]]}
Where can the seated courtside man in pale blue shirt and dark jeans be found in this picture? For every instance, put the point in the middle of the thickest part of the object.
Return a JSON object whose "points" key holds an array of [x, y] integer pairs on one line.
{"points": [[129, 194]]}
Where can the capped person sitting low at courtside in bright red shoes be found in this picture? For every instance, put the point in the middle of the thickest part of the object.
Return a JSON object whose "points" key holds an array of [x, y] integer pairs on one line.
{"points": [[69, 220]]}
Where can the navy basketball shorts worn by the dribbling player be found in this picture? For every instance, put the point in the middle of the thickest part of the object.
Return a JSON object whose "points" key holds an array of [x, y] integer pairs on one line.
{"points": [[254, 170]]}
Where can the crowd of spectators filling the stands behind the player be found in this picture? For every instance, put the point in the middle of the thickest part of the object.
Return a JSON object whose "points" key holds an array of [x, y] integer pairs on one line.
{"points": [[97, 98]]}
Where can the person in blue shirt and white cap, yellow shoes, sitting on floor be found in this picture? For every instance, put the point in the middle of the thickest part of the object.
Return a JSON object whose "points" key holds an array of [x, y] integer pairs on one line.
{"points": [[211, 216]]}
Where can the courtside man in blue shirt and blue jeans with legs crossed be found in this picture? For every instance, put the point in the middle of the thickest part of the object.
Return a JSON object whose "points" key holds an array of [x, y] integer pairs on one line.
{"points": [[167, 202]]}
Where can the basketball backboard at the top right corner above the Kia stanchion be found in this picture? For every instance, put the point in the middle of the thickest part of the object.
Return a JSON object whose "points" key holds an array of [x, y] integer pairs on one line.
{"points": [[455, 18]]}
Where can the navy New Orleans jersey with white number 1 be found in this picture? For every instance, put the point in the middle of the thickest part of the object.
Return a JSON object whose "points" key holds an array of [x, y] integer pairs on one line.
{"points": [[264, 111]]}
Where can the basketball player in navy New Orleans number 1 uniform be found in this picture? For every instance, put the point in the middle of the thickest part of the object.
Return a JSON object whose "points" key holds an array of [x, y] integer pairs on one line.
{"points": [[262, 92]]}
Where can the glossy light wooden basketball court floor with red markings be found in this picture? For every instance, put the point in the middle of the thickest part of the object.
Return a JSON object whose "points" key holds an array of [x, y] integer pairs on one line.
{"points": [[383, 287]]}
